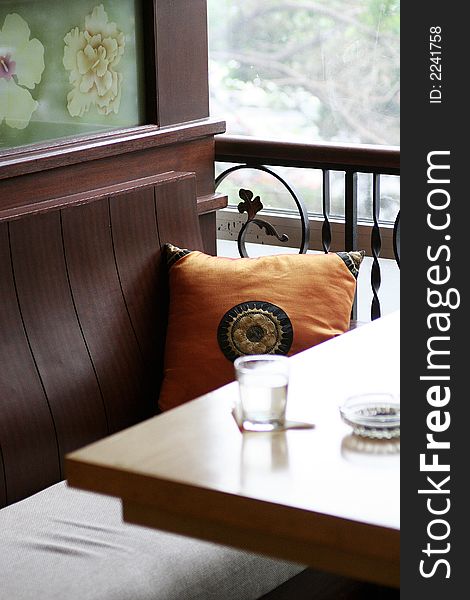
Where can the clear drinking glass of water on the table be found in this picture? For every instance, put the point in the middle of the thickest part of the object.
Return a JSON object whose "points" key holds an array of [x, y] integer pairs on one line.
{"points": [[263, 382]]}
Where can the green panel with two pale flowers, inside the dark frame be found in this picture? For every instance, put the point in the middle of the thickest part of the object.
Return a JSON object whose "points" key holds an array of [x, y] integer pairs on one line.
{"points": [[69, 67]]}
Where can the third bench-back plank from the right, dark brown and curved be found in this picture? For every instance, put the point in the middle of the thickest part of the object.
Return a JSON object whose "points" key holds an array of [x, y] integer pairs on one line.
{"points": [[102, 311]]}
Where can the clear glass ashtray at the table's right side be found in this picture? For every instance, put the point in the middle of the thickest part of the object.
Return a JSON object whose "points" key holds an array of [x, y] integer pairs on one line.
{"points": [[375, 415]]}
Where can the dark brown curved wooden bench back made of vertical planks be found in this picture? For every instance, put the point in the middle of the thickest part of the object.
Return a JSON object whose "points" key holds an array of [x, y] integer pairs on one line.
{"points": [[83, 313]]}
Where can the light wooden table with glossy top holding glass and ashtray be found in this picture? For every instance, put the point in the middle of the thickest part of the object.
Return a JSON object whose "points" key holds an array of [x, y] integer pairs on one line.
{"points": [[321, 497]]}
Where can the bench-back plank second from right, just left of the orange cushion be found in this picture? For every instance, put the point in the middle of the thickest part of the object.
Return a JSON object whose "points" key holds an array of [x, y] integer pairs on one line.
{"points": [[139, 264]]}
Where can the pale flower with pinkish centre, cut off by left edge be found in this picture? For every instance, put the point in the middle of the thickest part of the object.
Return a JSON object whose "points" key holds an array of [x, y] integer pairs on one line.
{"points": [[21, 68]]}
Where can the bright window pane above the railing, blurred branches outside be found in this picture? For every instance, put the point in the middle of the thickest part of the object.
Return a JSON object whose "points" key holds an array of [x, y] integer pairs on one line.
{"points": [[306, 70]]}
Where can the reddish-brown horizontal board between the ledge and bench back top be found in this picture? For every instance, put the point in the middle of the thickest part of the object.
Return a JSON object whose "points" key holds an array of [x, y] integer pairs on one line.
{"points": [[20, 194]]}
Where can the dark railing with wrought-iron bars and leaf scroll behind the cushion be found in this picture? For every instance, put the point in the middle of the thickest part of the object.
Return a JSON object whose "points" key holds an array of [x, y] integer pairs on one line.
{"points": [[251, 153]]}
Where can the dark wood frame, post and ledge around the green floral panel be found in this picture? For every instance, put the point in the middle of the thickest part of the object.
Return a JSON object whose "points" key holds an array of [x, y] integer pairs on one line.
{"points": [[178, 136]]}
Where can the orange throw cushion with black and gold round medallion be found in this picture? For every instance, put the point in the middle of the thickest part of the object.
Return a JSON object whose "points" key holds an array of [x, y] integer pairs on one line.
{"points": [[222, 308]]}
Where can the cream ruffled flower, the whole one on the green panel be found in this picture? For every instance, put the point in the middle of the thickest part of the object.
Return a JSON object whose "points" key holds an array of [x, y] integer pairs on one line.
{"points": [[91, 56]]}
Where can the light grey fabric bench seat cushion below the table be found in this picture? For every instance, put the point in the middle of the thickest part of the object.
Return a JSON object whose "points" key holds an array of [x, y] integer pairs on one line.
{"points": [[67, 544]]}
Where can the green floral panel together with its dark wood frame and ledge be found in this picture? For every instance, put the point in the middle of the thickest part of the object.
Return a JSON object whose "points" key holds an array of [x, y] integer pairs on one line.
{"points": [[96, 93]]}
